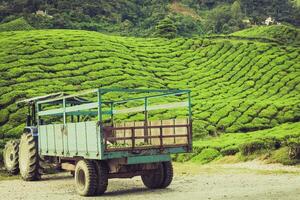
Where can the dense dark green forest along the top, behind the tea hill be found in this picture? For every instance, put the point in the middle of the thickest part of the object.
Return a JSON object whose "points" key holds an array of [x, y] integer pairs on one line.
{"points": [[139, 18]]}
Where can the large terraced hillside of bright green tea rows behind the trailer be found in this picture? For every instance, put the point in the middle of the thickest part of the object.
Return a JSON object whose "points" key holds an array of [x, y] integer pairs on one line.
{"points": [[237, 85]]}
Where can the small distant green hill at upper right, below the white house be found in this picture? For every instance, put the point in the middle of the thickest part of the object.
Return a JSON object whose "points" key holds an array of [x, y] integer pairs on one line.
{"points": [[281, 33]]}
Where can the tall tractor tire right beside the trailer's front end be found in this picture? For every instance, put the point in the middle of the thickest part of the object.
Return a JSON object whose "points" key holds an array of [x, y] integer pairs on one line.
{"points": [[29, 165]]}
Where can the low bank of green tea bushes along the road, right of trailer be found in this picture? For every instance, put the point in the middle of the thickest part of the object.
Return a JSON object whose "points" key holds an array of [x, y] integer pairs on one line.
{"points": [[284, 137]]}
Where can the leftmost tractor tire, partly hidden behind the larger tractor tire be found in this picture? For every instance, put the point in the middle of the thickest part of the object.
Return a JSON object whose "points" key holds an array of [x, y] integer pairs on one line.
{"points": [[11, 157]]}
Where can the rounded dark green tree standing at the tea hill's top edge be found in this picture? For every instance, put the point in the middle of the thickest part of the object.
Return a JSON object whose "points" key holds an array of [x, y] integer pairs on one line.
{"points": [[166, 28]]}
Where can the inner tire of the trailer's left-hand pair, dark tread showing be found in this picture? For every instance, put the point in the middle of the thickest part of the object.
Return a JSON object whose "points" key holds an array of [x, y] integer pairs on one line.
{"points": [[102, 177]]}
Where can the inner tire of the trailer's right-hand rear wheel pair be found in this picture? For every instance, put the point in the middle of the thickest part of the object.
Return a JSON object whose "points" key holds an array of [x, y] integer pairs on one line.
{"points": [[154, 179]]}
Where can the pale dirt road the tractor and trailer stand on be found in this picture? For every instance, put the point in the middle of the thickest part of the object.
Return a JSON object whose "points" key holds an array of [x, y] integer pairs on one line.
{"points": [[234, 181]]}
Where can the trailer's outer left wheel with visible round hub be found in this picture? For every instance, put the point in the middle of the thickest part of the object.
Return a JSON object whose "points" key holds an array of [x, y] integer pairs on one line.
{"points": [[85, 178]]}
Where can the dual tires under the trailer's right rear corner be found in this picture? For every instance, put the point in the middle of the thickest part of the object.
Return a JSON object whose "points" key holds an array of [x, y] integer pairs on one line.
{"points": [[160, 178]]}
